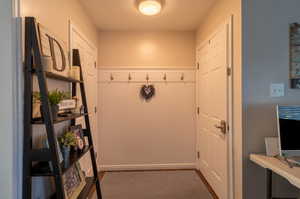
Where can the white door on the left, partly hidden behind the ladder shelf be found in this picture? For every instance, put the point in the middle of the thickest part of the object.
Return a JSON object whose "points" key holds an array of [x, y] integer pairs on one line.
{"points": [[88, 56]]}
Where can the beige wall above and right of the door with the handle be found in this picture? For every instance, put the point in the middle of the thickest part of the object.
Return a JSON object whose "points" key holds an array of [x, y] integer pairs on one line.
{"points": [[217, 15]]}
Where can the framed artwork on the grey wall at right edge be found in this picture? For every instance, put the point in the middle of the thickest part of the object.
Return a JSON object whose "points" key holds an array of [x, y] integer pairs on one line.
{"points": [[295, 55]]}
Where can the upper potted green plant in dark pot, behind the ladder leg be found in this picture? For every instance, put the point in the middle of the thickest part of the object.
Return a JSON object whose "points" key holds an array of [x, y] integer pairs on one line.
{"points": [[55, 97]]}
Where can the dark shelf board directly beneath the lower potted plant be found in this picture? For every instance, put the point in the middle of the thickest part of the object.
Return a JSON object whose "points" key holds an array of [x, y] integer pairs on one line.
{"points": [[43, 168]]}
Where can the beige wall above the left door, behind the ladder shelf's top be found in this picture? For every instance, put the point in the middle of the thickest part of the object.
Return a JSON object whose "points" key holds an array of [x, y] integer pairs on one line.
{"points": [[55, 15]]}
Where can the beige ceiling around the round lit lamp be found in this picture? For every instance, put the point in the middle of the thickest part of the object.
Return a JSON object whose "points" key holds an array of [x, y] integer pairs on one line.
{"points": [[177, 15]]}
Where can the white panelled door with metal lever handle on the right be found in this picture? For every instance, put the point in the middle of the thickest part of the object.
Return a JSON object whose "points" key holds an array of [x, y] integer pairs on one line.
{"points": [[214, 105]]}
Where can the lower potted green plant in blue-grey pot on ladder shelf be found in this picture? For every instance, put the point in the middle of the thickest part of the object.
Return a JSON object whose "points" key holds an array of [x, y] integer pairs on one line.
{"points": [[67, 140]]}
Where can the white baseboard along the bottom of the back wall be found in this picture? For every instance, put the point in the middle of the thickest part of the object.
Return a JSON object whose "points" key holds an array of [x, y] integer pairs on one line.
{"points": [[130, 167]]}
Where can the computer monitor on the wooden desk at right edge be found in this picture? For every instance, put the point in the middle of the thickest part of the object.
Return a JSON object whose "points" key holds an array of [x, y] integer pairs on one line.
{"points": [[288, 122]]}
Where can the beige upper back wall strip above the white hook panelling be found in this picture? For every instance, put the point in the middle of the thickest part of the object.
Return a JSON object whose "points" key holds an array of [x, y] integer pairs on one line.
{"points": [[146, 49]]}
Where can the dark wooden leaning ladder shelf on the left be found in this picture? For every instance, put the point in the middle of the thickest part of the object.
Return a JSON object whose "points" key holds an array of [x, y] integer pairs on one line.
{"points": [[33, 66]]}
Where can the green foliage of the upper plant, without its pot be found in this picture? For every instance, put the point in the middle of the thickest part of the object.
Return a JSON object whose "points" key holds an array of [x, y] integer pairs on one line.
{"points": [[55, 97]]}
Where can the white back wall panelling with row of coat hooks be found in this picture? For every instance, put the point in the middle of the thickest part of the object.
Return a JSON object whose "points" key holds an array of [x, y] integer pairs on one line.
{"points": [[135, 134]]}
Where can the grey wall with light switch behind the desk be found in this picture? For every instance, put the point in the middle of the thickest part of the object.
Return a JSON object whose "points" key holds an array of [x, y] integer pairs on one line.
{"points": [[266, 61]]}
